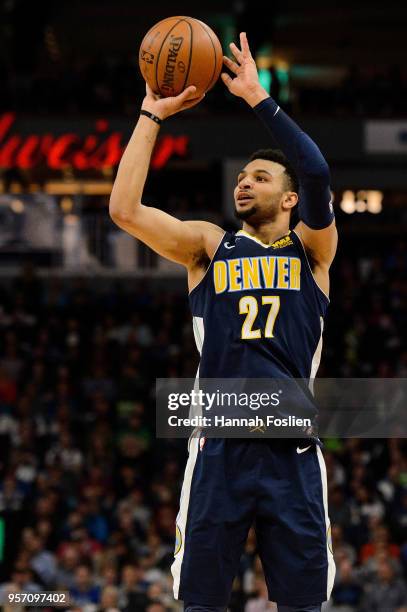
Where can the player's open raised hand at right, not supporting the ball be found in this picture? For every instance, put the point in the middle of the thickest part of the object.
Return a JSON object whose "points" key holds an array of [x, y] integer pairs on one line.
{"points": [[245, 83]]}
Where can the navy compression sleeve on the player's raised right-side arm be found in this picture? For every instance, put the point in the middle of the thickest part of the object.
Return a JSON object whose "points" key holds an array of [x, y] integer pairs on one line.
{"points": [[314, 204]]}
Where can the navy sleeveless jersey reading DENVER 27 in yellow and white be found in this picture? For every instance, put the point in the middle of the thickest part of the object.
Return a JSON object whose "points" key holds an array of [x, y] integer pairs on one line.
{"points": [[258, 312]]}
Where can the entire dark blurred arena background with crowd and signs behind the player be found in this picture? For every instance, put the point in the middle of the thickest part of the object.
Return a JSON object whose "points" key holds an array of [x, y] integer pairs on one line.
{"points": [[89, 317]]}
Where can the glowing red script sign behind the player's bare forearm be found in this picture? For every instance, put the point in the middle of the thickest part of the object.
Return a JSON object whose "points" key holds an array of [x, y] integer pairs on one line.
{"points": [[97, 150]]}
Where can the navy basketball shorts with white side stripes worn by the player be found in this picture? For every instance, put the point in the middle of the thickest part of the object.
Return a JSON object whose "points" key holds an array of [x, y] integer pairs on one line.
{"points": [[279, 487]]}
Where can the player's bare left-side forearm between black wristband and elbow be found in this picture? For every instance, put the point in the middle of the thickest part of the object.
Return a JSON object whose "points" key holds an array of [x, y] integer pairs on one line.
{"points": [[133, 169]]}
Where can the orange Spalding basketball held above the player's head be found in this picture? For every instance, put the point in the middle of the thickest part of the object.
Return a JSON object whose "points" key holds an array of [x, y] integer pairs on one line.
{"points": [[180, 51]]}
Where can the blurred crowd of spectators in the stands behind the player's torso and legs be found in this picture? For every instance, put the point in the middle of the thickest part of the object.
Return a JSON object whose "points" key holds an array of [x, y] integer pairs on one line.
{"points": [[89, 497]]}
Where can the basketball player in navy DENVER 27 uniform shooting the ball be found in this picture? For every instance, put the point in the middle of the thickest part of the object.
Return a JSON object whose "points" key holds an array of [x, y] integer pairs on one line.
{"points": [[258, 298]]}
